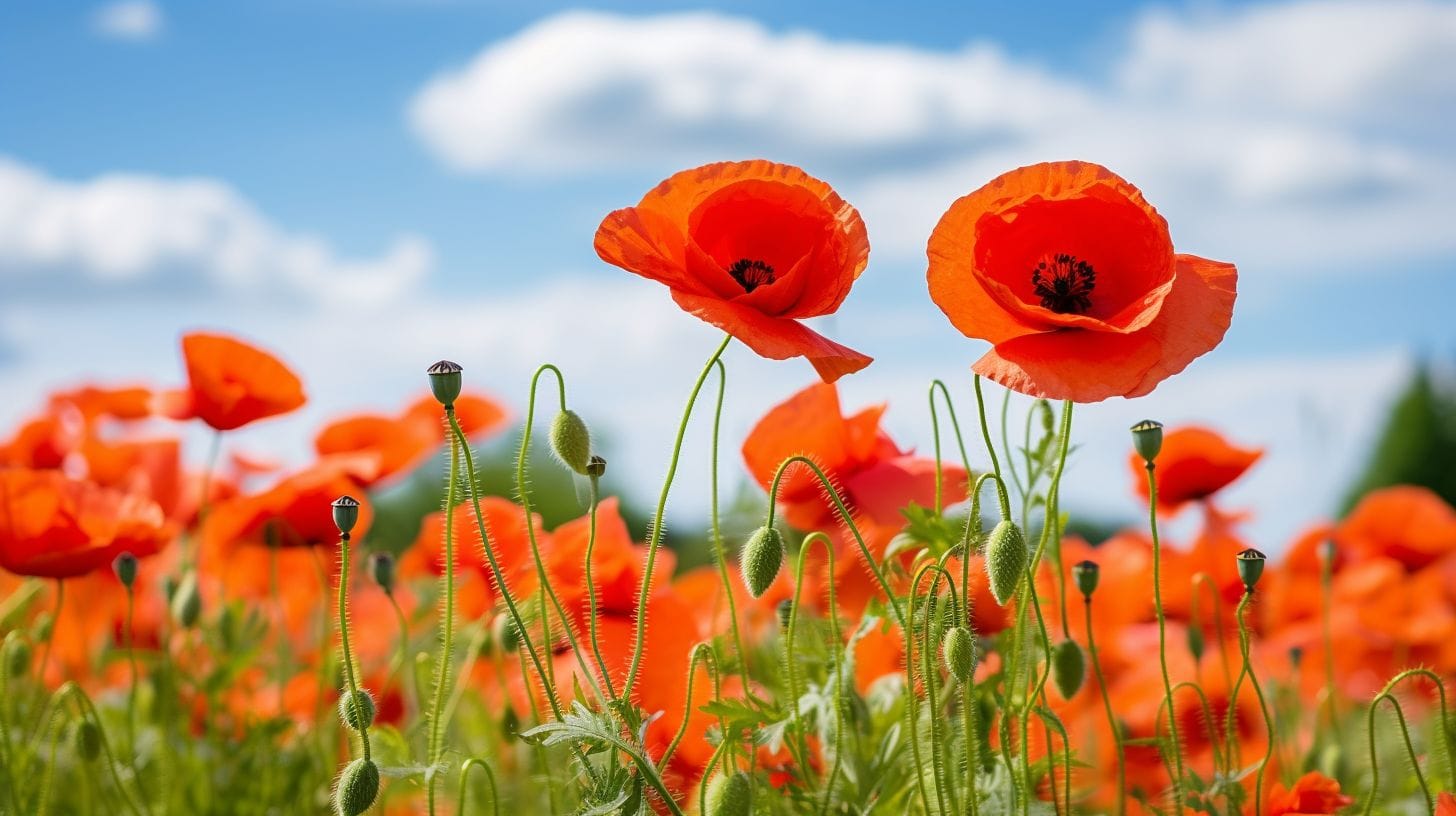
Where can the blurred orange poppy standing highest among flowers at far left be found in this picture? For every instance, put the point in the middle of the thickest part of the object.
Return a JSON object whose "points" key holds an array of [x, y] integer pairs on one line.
{"points": [[232, 384]]}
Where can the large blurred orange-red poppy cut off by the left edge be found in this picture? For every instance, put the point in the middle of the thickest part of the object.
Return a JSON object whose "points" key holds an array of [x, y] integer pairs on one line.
{"points": [[58, 528]]}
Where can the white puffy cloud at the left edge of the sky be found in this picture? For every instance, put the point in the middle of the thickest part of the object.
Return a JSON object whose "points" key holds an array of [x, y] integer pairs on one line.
{"points": [[123, 229]]}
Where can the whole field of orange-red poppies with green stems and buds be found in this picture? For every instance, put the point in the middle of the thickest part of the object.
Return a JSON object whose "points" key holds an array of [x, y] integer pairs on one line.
{"points": [[901, 632]]}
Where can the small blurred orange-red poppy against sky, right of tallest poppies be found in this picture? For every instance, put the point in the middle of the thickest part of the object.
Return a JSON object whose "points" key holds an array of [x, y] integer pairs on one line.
{"points": [[1193, 466]]}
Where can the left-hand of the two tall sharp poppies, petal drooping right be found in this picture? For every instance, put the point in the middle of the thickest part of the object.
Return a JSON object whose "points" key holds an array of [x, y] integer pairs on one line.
{"points": [[751, 248]]}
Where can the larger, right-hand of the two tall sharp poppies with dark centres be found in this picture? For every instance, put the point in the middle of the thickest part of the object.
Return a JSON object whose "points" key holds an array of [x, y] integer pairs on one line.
{"points": [[1072, 278]]}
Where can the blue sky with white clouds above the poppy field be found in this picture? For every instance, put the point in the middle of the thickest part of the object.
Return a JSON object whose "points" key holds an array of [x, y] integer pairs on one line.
{"points": [[398, 181]]}
